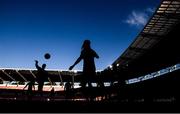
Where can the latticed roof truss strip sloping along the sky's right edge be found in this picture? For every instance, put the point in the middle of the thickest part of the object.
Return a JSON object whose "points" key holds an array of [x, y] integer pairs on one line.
{"points": [[166, 16]]}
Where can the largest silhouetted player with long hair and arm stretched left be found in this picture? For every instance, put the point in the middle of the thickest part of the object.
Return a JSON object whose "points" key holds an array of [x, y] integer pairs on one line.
{"points": [[89, 69]]}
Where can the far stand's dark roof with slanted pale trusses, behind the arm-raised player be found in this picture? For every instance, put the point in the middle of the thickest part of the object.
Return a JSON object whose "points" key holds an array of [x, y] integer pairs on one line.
{"points": [[24, 75]]}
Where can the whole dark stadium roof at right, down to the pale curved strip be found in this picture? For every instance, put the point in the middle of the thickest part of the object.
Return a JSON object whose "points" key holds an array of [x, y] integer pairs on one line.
{"points": [[154, 36]]}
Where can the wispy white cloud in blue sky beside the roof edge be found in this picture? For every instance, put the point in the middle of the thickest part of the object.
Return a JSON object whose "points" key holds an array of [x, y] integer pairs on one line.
{"points": [[139, 18]]}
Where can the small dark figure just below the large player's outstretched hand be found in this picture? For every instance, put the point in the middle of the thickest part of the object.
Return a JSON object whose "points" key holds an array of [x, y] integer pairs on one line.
{"points": [[68, 90]]}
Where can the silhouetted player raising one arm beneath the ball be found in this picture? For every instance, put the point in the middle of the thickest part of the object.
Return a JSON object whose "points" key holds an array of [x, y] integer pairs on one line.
{"points": [[41, 76]]}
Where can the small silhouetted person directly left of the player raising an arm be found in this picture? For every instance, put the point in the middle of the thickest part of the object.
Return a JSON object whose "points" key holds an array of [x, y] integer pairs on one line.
{"points": [[30, 88]]}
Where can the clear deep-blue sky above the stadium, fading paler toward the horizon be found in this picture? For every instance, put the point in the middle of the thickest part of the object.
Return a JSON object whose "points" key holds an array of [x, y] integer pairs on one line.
{"points": [[30, 28]]}
